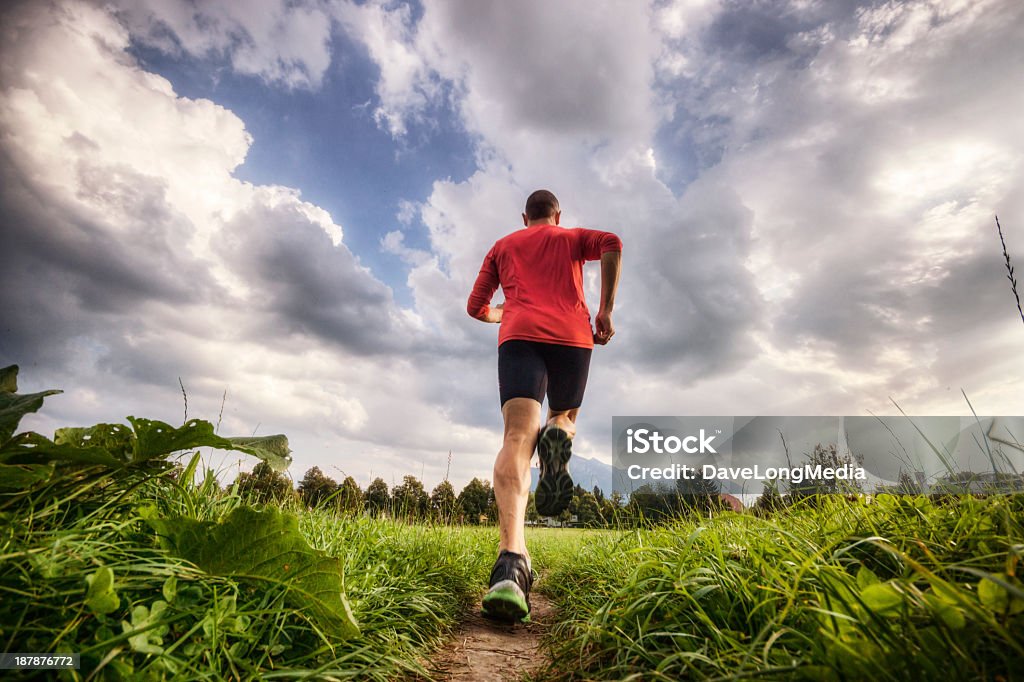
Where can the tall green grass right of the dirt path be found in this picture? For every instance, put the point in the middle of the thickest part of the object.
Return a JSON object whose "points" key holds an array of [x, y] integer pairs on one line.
{"points": [[901, 588]]}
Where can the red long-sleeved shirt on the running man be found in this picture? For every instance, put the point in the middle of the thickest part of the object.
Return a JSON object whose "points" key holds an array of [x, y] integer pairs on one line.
{"points": [[540, 270]]}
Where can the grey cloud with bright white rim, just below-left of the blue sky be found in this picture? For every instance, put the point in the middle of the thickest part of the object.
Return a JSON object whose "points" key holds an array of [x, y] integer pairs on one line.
{"points": [[308, 284]]}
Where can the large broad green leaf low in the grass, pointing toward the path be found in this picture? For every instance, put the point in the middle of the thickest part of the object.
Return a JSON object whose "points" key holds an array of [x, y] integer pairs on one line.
{"points": [[268, 545]]}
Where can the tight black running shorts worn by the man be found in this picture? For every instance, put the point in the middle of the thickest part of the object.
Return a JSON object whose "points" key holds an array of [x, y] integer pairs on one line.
{"points": [[532, 369]]}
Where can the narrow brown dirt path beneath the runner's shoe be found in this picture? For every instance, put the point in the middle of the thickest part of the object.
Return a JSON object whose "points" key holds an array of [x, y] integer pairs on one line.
{"points": [[487, 651]]}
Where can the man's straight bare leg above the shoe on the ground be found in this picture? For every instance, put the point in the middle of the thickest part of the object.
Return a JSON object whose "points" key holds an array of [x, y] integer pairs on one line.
{"points": [[523, 417]]}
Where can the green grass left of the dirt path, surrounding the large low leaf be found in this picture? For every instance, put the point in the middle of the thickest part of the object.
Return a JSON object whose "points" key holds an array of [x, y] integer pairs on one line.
{"points": [[165, 619]]}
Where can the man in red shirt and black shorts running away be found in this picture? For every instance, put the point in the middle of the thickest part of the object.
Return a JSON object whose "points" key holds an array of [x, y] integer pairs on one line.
{"points": [[544, 348]]}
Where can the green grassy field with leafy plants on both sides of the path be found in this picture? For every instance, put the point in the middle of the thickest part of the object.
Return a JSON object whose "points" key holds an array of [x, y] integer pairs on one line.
{"points": [[106, 555]]}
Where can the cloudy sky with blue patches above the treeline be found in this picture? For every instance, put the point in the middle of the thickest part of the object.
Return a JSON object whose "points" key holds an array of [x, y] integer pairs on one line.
{"points": [[289, 201]]}
